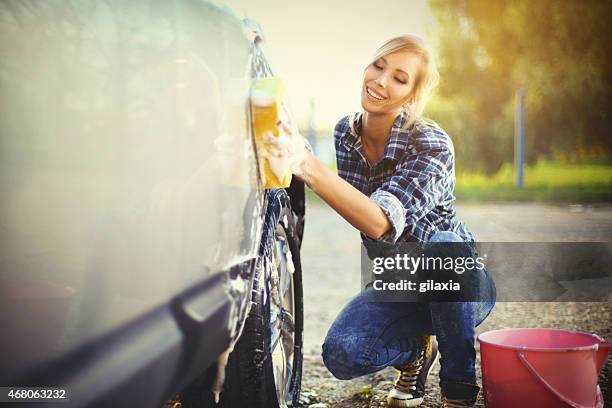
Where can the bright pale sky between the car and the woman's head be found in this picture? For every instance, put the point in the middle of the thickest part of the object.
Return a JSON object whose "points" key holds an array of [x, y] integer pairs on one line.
{"points": [[320, 48]]}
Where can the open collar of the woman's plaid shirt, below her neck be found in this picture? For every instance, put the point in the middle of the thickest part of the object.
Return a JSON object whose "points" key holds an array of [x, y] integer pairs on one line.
{"points": [[398, 141]]}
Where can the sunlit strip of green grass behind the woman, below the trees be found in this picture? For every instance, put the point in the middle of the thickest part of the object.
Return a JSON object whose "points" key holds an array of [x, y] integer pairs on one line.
{"points": [[545, 181]]}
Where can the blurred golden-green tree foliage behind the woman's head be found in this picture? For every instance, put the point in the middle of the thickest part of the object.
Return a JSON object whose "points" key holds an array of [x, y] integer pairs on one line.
{"points": [[559, 51]]}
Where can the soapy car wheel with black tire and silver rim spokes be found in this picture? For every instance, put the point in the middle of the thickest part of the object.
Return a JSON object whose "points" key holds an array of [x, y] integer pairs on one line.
{"points": [[260, 372]]}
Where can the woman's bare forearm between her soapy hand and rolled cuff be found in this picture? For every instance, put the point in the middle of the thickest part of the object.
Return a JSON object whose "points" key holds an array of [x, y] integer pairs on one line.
{"points": [[354, 206]]}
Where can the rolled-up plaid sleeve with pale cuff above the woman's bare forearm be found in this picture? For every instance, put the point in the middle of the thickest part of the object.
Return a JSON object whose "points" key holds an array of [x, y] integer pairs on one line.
{"points": [[414, 189]]}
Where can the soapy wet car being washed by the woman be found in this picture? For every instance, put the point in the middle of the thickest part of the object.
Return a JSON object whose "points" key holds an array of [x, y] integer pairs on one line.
{"points": [[141, 258]]}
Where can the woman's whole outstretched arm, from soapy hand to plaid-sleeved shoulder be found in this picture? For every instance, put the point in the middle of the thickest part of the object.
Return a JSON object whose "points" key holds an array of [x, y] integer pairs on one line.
{"points": [[418, 183]]}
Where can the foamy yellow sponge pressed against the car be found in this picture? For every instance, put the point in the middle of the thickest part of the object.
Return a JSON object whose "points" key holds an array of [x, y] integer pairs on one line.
{"points": [[266, 104]]}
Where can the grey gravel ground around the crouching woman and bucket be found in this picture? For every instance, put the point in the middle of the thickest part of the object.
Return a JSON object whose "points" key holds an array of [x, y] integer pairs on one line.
{"points": [[330, 258]]}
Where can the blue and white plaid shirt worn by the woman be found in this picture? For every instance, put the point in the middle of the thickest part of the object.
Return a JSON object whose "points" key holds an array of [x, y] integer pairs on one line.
{"points": [[412, 183]]}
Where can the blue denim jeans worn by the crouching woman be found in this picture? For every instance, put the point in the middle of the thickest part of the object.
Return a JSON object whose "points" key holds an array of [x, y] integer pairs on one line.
{"points": [[368, 336]]}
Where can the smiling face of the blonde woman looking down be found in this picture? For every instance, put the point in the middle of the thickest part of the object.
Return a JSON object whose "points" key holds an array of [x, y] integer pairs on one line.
{"points": [[388, 82]]}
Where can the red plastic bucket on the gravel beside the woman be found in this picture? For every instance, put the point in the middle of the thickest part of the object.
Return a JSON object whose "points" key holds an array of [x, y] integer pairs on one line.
{"points": [[542, 368]]}
